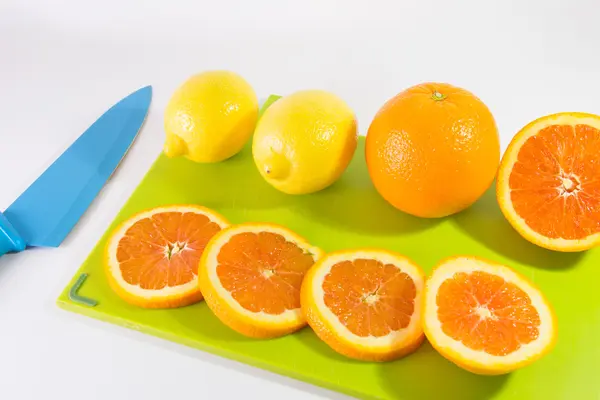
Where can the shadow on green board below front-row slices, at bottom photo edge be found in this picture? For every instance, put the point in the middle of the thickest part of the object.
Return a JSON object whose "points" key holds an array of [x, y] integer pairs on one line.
{"points": [[426, 375]]}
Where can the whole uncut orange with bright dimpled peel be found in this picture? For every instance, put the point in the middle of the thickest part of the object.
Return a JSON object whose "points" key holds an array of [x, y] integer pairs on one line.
{"points": [[432, 150]]}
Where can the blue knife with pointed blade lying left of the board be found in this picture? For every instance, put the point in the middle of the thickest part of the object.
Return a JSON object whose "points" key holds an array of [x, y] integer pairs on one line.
{"points": [[44, 214]]}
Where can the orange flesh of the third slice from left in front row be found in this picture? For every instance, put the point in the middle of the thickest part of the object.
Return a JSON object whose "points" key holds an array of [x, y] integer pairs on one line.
{"points": [[368, 297]]}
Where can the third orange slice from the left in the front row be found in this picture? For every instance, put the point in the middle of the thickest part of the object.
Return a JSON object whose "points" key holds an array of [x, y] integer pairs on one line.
{"points": [[365, 303]]}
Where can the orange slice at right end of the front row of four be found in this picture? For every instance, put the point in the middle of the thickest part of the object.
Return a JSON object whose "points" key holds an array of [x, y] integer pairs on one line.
{"points": [[485, 317]]}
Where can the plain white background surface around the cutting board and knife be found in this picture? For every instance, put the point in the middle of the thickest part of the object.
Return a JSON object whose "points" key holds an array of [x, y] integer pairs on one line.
{"points": [[63, 63]]}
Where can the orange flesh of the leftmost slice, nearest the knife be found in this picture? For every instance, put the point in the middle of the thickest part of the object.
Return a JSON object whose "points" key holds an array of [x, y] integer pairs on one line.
{"points": [[143, 253]]}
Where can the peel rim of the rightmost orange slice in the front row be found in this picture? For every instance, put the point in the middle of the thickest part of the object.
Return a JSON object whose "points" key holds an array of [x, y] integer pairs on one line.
{"points": [[457, 358]]}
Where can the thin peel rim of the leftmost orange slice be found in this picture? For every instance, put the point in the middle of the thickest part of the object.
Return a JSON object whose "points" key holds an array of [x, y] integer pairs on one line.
{"points": [[177, 300]]}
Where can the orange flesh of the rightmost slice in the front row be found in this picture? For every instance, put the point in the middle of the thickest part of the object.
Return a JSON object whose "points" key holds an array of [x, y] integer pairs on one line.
{"points": [[486, 313]]}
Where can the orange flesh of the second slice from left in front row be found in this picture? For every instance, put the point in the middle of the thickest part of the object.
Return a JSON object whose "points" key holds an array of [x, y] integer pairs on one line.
{"points": [[263, 271]]}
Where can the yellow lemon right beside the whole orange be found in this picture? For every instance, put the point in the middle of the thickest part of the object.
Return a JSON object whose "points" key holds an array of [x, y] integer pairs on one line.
{"points": [[304, 141]]}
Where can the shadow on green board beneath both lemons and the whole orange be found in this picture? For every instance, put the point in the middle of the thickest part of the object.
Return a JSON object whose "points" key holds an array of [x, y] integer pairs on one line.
{"points": [[351, 203]]}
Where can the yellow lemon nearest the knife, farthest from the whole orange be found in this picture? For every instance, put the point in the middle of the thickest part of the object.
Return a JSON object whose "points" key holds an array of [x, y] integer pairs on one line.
{"points": [[210, 117]]}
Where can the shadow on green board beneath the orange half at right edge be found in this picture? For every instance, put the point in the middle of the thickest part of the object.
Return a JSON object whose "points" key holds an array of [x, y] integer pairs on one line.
{"points": [[485, 223]]}
